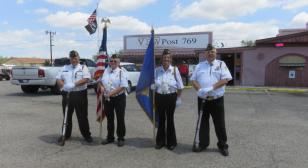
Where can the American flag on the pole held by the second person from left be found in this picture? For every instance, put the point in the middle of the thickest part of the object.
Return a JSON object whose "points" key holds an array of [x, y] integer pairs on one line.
{"points": [[101, 64]]}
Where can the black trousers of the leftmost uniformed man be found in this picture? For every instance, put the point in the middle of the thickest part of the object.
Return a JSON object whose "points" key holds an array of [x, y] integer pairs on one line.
{"points": [[78, 101]]}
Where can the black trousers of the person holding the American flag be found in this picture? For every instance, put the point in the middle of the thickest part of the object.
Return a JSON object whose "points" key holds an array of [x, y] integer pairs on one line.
{"points": [[118, 105]]}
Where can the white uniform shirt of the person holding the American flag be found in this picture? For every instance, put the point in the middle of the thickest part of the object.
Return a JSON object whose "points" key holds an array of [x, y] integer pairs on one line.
{"points": [[114, 78]]}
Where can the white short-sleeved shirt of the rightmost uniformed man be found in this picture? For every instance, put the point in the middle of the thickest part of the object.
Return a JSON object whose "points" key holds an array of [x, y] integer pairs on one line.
{"points": [[207, 74]]}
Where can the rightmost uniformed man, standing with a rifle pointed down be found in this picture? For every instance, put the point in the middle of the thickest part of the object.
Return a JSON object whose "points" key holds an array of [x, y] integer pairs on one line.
{"points": [[209, 80]]}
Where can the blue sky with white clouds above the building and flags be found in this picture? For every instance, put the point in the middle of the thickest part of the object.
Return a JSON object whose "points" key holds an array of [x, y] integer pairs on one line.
{"points": [[24, 22]]}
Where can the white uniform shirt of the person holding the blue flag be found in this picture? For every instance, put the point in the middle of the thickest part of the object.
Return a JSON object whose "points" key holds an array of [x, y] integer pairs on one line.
{"points": [[168, 81]]}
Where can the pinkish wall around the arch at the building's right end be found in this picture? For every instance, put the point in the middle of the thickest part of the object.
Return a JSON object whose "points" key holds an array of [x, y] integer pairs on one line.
{"points": [[255, 62]]}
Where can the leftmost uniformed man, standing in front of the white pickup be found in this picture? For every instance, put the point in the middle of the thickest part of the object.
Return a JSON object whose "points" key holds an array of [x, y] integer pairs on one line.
{"points": [[72, 80]]}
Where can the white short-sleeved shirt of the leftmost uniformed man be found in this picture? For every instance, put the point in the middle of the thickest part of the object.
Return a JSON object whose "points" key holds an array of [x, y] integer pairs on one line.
{"points": [[72, 74]]}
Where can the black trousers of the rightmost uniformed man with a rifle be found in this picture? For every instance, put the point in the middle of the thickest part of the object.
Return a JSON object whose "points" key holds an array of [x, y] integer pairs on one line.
{"points": [[214, 108]]}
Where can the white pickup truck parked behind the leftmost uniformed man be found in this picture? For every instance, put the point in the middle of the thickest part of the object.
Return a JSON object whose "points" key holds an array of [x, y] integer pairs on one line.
{"points": [[32, 78]]}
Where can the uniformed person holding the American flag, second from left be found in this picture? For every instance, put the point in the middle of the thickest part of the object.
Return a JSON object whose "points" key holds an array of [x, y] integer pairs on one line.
{"points": [[113, 86]]}
